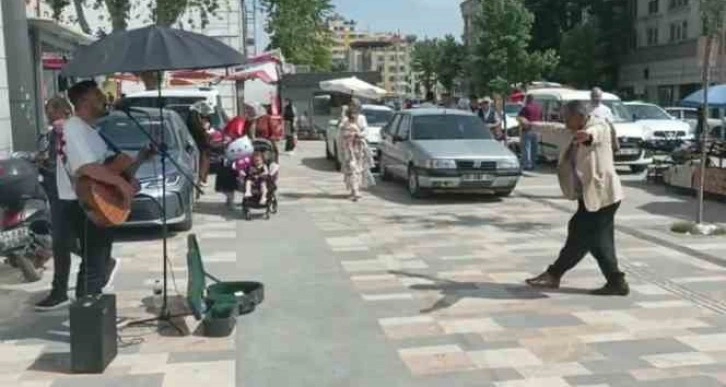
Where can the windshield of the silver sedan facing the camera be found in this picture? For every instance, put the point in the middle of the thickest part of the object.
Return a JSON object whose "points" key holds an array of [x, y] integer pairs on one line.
{"points": [[449, 127]]}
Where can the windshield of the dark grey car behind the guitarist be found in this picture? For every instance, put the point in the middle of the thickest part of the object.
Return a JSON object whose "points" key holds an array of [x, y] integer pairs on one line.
{"points": [[124, 133]]}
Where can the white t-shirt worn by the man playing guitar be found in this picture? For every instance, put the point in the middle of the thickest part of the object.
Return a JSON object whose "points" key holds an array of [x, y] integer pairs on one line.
{"points": [[80, 145]]}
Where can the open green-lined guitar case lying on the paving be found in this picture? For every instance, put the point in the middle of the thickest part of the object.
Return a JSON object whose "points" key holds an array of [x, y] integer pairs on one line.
{"points": [[218, 305]]}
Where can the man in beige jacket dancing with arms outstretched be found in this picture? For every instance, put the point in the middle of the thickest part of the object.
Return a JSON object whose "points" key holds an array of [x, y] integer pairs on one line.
{"points": [[586, 173]]}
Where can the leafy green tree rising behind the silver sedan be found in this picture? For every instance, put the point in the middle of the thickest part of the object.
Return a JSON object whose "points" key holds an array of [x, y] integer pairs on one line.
{"points": [[500, 55]]}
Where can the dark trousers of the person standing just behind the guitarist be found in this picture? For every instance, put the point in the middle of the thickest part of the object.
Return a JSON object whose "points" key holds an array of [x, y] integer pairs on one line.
{"points": [[64, 242]]}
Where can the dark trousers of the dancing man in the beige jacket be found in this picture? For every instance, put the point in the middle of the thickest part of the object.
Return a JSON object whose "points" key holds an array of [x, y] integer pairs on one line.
{"points": [[590, 232]]}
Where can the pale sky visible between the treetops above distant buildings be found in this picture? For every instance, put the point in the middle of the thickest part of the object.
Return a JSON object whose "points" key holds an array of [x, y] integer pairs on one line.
{"points": [[423, 18]]}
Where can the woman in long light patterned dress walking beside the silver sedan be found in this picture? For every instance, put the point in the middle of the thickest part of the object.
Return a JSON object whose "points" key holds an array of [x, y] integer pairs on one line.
{"points": [[357, 156]]}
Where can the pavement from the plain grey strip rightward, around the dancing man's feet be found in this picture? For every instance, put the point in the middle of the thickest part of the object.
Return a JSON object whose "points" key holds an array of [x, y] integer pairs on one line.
{"points": [[429, 293]]}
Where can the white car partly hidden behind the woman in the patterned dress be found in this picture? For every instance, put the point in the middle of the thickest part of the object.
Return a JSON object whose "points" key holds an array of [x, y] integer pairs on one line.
{"points": [[377, 117]]}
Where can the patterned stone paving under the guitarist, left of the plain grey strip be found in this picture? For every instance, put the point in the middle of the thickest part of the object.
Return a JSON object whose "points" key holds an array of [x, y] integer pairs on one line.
{"points": [[34, 347]]}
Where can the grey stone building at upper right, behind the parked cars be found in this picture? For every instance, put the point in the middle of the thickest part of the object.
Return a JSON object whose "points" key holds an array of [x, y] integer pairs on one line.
{"points": [[666, 52]]}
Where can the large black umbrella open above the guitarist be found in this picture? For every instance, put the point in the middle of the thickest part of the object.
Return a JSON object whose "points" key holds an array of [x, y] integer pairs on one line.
{"points": [[151, 48]]}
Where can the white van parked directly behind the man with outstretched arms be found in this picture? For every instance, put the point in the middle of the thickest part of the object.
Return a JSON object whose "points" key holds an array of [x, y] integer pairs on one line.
{"points": [[554, 136]]}
